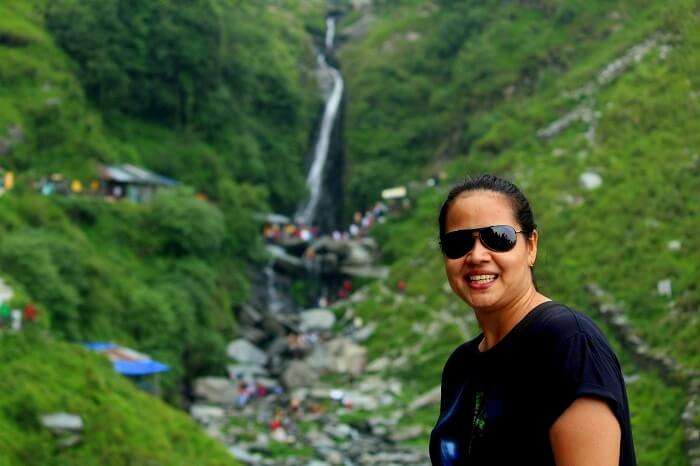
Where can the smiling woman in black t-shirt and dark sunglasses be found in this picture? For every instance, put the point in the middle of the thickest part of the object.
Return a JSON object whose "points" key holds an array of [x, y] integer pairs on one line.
{"points": [[540, 385]]}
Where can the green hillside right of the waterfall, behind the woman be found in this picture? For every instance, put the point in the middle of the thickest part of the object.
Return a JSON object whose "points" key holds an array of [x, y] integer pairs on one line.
{"points": [[469, 87]]}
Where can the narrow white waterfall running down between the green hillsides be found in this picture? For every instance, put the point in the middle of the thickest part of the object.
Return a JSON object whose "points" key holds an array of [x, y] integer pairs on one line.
{"points": [[314, 180]]}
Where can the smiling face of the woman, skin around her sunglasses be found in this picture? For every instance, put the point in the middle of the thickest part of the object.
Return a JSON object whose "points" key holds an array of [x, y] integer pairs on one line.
{"points": [[509, 276]]}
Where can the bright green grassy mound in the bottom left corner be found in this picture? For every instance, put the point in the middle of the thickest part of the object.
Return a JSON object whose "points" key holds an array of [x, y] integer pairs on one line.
{"points": [[123, 426]]}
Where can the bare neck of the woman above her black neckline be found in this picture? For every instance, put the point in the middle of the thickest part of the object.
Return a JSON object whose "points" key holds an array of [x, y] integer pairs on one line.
{"points": [[497, 324]]}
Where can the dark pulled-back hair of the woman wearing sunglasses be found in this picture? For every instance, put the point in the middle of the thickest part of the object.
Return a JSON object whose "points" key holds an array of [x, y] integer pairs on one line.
{"points": [[519, 203]]}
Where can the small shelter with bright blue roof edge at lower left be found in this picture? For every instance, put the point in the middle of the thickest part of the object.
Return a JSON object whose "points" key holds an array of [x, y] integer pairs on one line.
{"points": [[137, 366]]}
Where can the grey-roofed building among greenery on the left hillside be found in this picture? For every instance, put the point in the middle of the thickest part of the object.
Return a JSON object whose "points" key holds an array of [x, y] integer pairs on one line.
{"points": [[131, 182]]}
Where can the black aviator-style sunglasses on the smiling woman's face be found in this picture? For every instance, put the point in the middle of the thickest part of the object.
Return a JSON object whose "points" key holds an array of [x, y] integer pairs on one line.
{"points": [[497, 238]]}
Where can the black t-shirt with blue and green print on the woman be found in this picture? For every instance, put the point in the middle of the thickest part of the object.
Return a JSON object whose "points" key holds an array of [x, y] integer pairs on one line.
{"points": [[497, 406]]}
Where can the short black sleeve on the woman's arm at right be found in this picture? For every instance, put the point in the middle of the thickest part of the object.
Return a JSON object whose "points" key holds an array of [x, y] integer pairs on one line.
{"points": [[586, 366]]}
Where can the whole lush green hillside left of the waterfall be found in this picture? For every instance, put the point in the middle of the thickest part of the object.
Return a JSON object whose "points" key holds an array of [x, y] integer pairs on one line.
{"points": [[218, 94]]}
